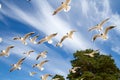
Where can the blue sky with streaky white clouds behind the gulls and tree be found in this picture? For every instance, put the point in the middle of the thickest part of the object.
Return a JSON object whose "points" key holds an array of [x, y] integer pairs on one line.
{"points": [[19, 18]]}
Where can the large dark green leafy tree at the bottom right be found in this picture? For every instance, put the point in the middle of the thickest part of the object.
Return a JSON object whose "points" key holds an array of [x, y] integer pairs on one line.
{"points": [[99, 67]]}
